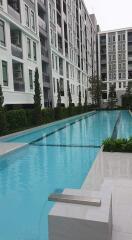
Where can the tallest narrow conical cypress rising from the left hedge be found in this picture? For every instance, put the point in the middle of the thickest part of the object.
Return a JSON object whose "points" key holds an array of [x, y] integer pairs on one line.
{"points": [[37, 99]]}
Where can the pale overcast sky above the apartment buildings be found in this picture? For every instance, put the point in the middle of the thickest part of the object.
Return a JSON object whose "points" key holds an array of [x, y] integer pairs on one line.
{"points": [[111, 14]]}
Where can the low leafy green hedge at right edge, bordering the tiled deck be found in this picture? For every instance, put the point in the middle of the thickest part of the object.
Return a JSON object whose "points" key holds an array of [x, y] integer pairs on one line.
{"points": [[118, 145]]}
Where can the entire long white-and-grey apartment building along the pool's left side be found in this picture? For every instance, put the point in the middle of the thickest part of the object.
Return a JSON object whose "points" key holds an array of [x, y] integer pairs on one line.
{"points": [[58, 37]]}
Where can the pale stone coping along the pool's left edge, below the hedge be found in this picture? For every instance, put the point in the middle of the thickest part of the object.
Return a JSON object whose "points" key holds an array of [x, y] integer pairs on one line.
{"points": [[18, 145]]}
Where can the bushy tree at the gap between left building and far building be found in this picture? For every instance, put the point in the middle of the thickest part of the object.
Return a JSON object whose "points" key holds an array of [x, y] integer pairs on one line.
{"points": [[95, 90]]}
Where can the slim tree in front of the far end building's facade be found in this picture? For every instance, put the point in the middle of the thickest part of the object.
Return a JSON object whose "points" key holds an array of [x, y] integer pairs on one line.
{"points": [[112, 98]]}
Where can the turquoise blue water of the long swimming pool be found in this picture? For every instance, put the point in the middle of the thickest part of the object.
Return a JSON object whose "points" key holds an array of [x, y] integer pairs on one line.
{"points": [[57, 157]]}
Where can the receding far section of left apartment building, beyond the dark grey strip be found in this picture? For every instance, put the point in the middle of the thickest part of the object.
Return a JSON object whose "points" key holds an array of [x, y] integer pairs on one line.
{"points": [[72, 36]]}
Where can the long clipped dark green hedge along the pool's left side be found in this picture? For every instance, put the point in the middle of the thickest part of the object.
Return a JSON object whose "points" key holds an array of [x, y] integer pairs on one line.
{"points": [[16, 120]]}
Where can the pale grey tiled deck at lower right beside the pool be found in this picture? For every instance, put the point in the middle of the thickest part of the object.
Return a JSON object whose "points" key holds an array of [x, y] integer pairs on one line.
{"points": [[115, 169]]}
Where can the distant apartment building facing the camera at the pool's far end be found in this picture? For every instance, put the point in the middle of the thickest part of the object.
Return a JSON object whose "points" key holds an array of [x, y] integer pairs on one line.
{"points": [[115, 60]]}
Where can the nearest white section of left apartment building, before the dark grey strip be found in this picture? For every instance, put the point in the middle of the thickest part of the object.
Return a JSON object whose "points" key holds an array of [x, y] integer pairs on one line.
{"points": [[19, 51]]}
